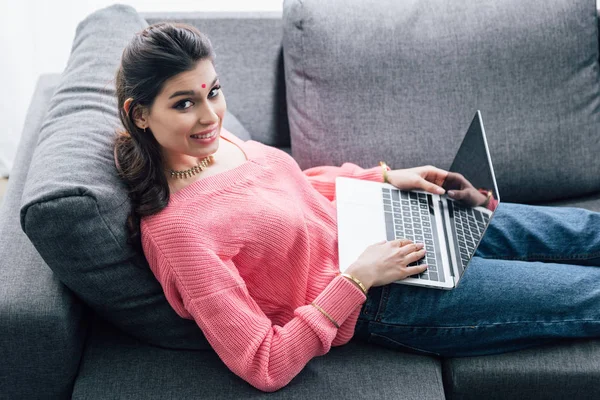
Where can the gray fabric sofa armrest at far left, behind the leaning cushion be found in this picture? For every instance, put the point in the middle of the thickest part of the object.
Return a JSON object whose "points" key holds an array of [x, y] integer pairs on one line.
{"points": [[42, 325]]}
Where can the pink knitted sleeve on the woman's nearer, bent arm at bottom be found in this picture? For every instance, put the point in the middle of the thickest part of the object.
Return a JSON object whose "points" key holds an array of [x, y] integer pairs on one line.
{"points": [[201, 285]]}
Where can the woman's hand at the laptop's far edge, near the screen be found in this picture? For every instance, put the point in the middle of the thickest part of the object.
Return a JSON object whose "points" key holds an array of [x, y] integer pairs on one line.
{"points": [[427, 178]]}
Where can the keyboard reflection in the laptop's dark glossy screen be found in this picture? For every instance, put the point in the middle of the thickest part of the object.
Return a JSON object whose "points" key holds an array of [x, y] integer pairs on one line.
{"points": [[468, 224]]}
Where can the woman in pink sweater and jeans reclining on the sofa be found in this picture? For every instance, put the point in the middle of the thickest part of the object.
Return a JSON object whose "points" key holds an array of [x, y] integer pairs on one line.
{"points": [[244, 242]]}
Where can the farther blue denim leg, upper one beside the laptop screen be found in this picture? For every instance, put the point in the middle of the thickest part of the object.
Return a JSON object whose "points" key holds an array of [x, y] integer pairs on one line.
{"points": [[567, 235]]}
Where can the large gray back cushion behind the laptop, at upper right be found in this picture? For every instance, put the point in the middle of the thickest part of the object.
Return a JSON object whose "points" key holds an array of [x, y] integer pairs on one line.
{"points": [[401, 81]]}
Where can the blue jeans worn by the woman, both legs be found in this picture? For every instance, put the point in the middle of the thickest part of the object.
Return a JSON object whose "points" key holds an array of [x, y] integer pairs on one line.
{"points": [[533, 280]]}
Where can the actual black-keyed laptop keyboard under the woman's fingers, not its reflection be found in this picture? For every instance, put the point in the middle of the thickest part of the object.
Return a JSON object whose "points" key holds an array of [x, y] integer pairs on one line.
{"points": [[409, 215]]}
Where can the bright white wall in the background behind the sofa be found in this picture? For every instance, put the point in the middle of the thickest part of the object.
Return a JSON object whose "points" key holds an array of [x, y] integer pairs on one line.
{"points": [[36, 37]]}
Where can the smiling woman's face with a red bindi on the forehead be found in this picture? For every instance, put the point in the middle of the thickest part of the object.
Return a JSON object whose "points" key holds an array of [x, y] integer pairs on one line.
{"points": [[190, 105]]}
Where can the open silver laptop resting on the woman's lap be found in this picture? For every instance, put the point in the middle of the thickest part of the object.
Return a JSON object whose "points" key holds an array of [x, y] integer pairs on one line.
{"points": [[369, 212]]}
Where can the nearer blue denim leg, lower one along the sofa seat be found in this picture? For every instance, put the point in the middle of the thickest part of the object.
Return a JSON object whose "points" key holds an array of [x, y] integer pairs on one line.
{"points": [[498, 306]]}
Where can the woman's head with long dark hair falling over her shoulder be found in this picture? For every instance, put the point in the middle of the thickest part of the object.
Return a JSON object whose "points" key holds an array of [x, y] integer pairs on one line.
{"points": [[168, 94]]}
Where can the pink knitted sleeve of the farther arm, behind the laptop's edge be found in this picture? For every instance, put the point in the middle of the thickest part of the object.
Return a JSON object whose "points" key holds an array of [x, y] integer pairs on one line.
{"points": [[323, 178]]}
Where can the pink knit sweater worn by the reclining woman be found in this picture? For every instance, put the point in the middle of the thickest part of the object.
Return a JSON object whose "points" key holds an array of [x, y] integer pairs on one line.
{"points": [[246, 251]]}
